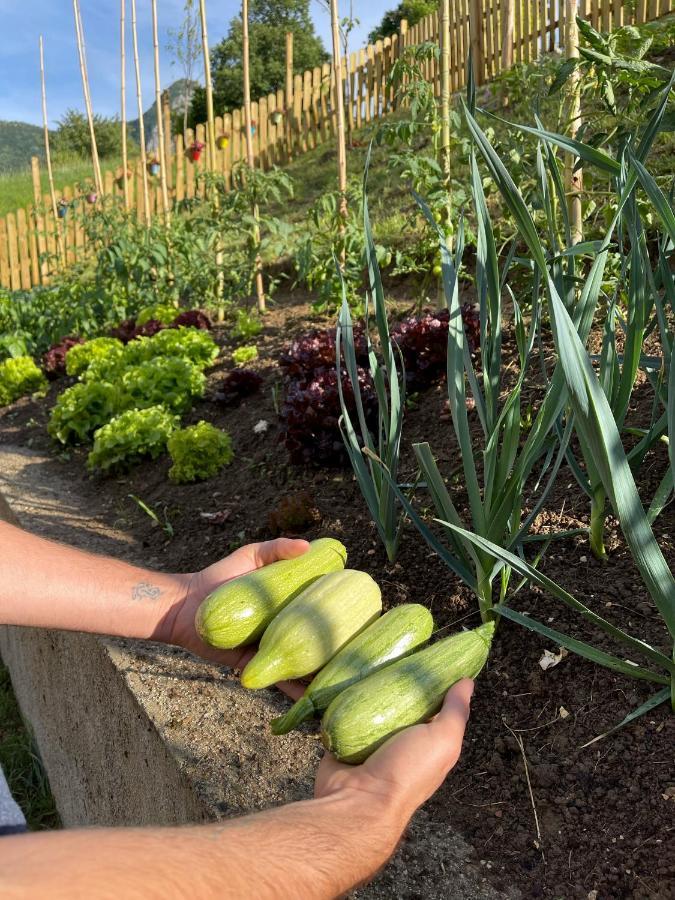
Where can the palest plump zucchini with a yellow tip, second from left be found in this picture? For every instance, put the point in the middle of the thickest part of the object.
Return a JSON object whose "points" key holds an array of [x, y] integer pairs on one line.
{"points": [[313, 627]]}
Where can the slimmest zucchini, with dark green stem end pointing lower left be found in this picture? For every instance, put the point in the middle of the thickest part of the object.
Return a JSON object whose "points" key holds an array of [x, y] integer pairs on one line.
{"points": [[398, 633]]}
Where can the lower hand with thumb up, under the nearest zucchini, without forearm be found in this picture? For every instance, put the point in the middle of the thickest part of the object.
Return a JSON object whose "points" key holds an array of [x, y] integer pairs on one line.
{"points": [[407, 769]]}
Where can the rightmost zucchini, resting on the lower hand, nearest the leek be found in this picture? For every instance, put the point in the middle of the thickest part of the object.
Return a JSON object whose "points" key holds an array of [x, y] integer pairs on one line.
{"points": [[405, 693]]}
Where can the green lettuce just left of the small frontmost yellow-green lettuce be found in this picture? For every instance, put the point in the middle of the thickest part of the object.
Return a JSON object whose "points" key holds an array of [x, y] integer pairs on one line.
{"points": [[130, 437]]}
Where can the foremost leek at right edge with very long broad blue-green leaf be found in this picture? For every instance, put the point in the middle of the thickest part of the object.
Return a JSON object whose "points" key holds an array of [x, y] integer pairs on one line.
{"points": [[596, 424]]}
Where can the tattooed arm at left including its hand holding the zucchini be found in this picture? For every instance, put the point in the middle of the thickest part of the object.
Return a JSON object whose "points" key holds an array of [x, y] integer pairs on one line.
{"points": [[51, 585]]}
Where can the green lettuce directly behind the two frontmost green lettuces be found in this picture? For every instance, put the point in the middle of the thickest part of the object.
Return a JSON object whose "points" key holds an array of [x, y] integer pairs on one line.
{"points": [[171, 382]]}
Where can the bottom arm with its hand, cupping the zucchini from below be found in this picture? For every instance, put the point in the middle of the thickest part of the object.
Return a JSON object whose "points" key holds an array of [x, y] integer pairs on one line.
{"points": [[312, 850]]}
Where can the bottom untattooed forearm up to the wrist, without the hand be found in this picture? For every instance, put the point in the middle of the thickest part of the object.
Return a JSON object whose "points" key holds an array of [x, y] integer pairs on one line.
{"points": [[305, 851]]}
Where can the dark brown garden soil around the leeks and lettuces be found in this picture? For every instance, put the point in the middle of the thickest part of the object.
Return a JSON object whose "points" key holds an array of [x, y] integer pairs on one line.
{"points": [[543, 815]]}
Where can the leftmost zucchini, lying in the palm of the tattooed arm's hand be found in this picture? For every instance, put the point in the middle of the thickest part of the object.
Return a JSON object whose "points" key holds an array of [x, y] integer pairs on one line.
{"points": [[238, 612]]}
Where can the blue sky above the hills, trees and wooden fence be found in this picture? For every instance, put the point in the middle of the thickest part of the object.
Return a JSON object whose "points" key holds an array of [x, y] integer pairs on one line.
{"points": [[24, 20]]}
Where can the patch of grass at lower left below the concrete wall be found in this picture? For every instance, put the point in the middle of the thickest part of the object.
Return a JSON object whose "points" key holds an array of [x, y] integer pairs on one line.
{"points": [[21, 764]]}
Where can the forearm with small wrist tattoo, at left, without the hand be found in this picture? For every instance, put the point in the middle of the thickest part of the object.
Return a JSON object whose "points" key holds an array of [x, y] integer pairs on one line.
{"points": [[55, 586]]}
